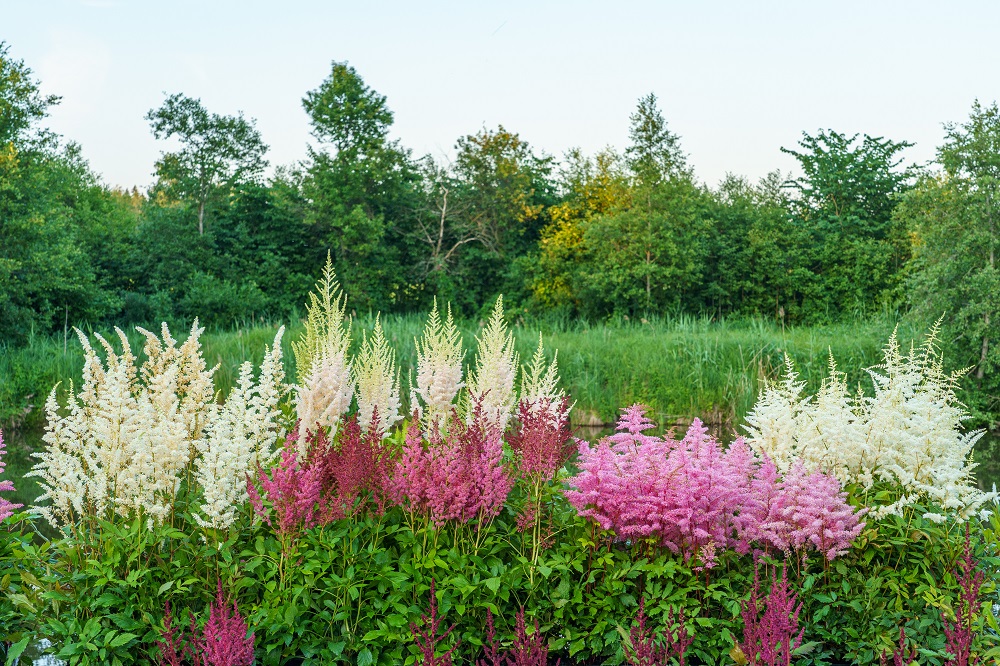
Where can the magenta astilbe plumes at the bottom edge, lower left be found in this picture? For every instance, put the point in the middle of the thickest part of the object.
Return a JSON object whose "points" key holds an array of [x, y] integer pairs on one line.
{"points": [[222, 642]]}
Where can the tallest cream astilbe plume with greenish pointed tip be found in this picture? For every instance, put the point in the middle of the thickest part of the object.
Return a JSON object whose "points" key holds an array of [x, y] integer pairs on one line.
{"points": [[325, 384]]}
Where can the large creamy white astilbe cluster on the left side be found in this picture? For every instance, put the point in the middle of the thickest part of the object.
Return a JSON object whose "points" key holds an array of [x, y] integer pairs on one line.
{"points": [[130, 435]]}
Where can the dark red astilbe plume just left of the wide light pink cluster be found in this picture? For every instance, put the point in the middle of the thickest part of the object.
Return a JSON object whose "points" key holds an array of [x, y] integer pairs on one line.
{"points": [[541, 443]]}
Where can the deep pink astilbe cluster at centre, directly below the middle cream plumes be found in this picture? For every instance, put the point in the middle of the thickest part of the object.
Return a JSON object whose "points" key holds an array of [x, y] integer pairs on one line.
{"points": [[459, 476]]}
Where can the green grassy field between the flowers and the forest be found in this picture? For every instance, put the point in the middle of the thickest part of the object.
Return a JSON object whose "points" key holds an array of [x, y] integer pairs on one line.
{"points": [[681, 368]]}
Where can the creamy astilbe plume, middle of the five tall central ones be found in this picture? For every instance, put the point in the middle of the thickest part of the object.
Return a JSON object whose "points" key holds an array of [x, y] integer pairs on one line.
{"points": [[439, 368]]}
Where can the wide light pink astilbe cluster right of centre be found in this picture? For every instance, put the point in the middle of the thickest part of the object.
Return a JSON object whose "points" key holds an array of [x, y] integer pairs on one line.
{"points": [[695, 497]]}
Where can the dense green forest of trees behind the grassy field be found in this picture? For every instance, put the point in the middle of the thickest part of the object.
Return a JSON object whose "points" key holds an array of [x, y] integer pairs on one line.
{"points": [[622, 234]]}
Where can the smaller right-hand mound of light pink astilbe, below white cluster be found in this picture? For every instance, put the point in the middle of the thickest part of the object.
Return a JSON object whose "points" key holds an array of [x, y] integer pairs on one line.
{"points": [[802, 510]]}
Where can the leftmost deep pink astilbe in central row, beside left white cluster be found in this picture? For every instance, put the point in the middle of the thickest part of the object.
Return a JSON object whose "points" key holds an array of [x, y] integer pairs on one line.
{"points": [[292, 489]]}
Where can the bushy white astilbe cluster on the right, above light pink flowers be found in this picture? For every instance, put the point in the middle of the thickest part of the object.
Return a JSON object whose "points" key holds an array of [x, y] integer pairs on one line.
{"points": [[907, 433]]}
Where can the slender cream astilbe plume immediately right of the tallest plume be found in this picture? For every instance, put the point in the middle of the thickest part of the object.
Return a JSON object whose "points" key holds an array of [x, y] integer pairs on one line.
{"points": [[377, 382]]}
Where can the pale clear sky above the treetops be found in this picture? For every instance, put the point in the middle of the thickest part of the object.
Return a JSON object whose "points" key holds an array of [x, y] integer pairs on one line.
{"points": [[735, 79]]}
